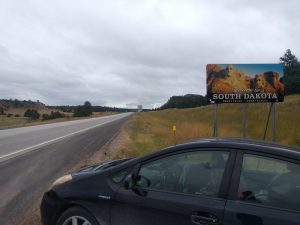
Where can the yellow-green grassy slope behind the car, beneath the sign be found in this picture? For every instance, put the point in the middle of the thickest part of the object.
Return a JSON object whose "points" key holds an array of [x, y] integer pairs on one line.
{"points": [[148, 131]]}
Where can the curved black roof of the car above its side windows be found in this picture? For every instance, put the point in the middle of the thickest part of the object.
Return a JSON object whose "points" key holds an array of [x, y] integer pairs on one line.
{"points": [[232, 143]]}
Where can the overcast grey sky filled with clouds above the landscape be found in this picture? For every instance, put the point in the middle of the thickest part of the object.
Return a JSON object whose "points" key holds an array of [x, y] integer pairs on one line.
{"points": [[118, 52]]}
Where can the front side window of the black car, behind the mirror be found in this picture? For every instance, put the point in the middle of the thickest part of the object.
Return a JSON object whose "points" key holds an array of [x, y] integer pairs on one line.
{"points": [[198, 173]]}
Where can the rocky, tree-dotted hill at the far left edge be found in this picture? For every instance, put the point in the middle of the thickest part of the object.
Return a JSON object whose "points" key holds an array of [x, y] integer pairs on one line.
{"points": [[7, 104]]}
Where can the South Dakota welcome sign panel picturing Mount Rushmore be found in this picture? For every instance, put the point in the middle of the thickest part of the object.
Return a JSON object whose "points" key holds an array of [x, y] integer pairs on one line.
{"points": [[244, 83]]}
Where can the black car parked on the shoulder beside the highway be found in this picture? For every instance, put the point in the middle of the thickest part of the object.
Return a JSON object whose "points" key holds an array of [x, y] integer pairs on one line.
{"points": [[205, 182]]}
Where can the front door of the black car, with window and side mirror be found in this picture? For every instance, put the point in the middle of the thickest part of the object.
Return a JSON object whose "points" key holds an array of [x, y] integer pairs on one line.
{"points": [[178, 189]]}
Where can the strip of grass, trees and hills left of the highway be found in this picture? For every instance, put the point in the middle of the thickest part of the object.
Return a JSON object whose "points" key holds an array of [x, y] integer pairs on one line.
{"points": [[19, 113]]}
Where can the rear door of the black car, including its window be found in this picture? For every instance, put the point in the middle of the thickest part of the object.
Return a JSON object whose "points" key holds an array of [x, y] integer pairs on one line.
{"points": [[265, 191]]}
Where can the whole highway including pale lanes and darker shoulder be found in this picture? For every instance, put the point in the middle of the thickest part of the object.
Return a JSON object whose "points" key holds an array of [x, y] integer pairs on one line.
{"points": [[31, 158]]}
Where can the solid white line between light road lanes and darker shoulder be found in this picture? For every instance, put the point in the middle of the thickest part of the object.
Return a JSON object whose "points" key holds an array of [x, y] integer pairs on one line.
{"points": [[48, 142]]}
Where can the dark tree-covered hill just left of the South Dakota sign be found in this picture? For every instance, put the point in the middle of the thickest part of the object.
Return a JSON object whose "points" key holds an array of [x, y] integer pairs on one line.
{"points": [[186, 101]]}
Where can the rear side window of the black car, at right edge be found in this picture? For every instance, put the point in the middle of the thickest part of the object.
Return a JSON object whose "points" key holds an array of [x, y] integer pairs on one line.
{"points": [[270, 182]]}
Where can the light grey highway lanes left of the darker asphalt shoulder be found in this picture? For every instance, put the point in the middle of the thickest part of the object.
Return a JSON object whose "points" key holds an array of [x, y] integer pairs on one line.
{"points": [[19, 140]]}
